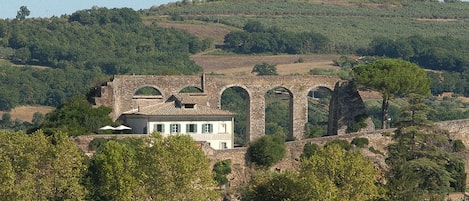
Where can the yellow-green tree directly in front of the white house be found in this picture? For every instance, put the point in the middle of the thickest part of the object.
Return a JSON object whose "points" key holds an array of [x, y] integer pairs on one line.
{"points": [[175, 168]]}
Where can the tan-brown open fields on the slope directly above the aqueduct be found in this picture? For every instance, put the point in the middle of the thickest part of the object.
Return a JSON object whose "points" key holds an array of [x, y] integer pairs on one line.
{"points": [[216, 61]]}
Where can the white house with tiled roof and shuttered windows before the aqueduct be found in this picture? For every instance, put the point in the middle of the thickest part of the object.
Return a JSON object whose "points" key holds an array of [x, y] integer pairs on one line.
{"points": [[202, 123]]}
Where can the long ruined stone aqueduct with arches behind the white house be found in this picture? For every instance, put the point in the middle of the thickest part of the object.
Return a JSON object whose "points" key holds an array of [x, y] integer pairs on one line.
{"points": [[119, 94]]}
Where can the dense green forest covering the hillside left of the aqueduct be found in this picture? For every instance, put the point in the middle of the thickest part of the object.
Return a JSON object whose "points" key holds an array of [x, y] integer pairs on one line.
{"points": [[78, 52]]}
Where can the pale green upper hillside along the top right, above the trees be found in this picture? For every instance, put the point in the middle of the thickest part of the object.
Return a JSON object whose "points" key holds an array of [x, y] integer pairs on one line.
{"points": [[350, 25]]}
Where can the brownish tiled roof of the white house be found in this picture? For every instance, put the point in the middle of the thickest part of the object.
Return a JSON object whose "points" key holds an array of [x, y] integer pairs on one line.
{"points": [[174, 106]]}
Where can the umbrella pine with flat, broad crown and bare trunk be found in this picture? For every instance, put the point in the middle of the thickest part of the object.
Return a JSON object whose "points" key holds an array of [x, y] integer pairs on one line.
{"points": [[393, 78]]}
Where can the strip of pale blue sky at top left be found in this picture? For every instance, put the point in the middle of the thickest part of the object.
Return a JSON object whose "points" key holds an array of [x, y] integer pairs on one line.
{"points": [[49, 8]]}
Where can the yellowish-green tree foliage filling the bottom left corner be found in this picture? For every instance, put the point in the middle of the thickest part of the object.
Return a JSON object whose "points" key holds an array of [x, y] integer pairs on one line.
{"points": [[39, 167]]}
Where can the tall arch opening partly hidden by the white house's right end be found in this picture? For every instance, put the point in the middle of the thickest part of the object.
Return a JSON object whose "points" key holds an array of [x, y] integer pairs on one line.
{"points": [[236, 99]]}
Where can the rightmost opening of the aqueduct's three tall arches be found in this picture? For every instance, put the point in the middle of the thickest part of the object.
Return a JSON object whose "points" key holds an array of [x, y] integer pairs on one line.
{"points": [[319, 100]]}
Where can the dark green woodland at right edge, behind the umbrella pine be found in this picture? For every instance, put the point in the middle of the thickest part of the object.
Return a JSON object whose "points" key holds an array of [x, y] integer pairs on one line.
{"points": [[445, 54]]}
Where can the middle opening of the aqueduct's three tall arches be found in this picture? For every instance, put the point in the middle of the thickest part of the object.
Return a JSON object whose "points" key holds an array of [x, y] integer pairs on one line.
{"points": [[279, 113]]}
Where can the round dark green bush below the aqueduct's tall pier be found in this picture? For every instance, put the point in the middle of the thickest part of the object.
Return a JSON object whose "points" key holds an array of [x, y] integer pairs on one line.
{"points": [[267, 150]]}
